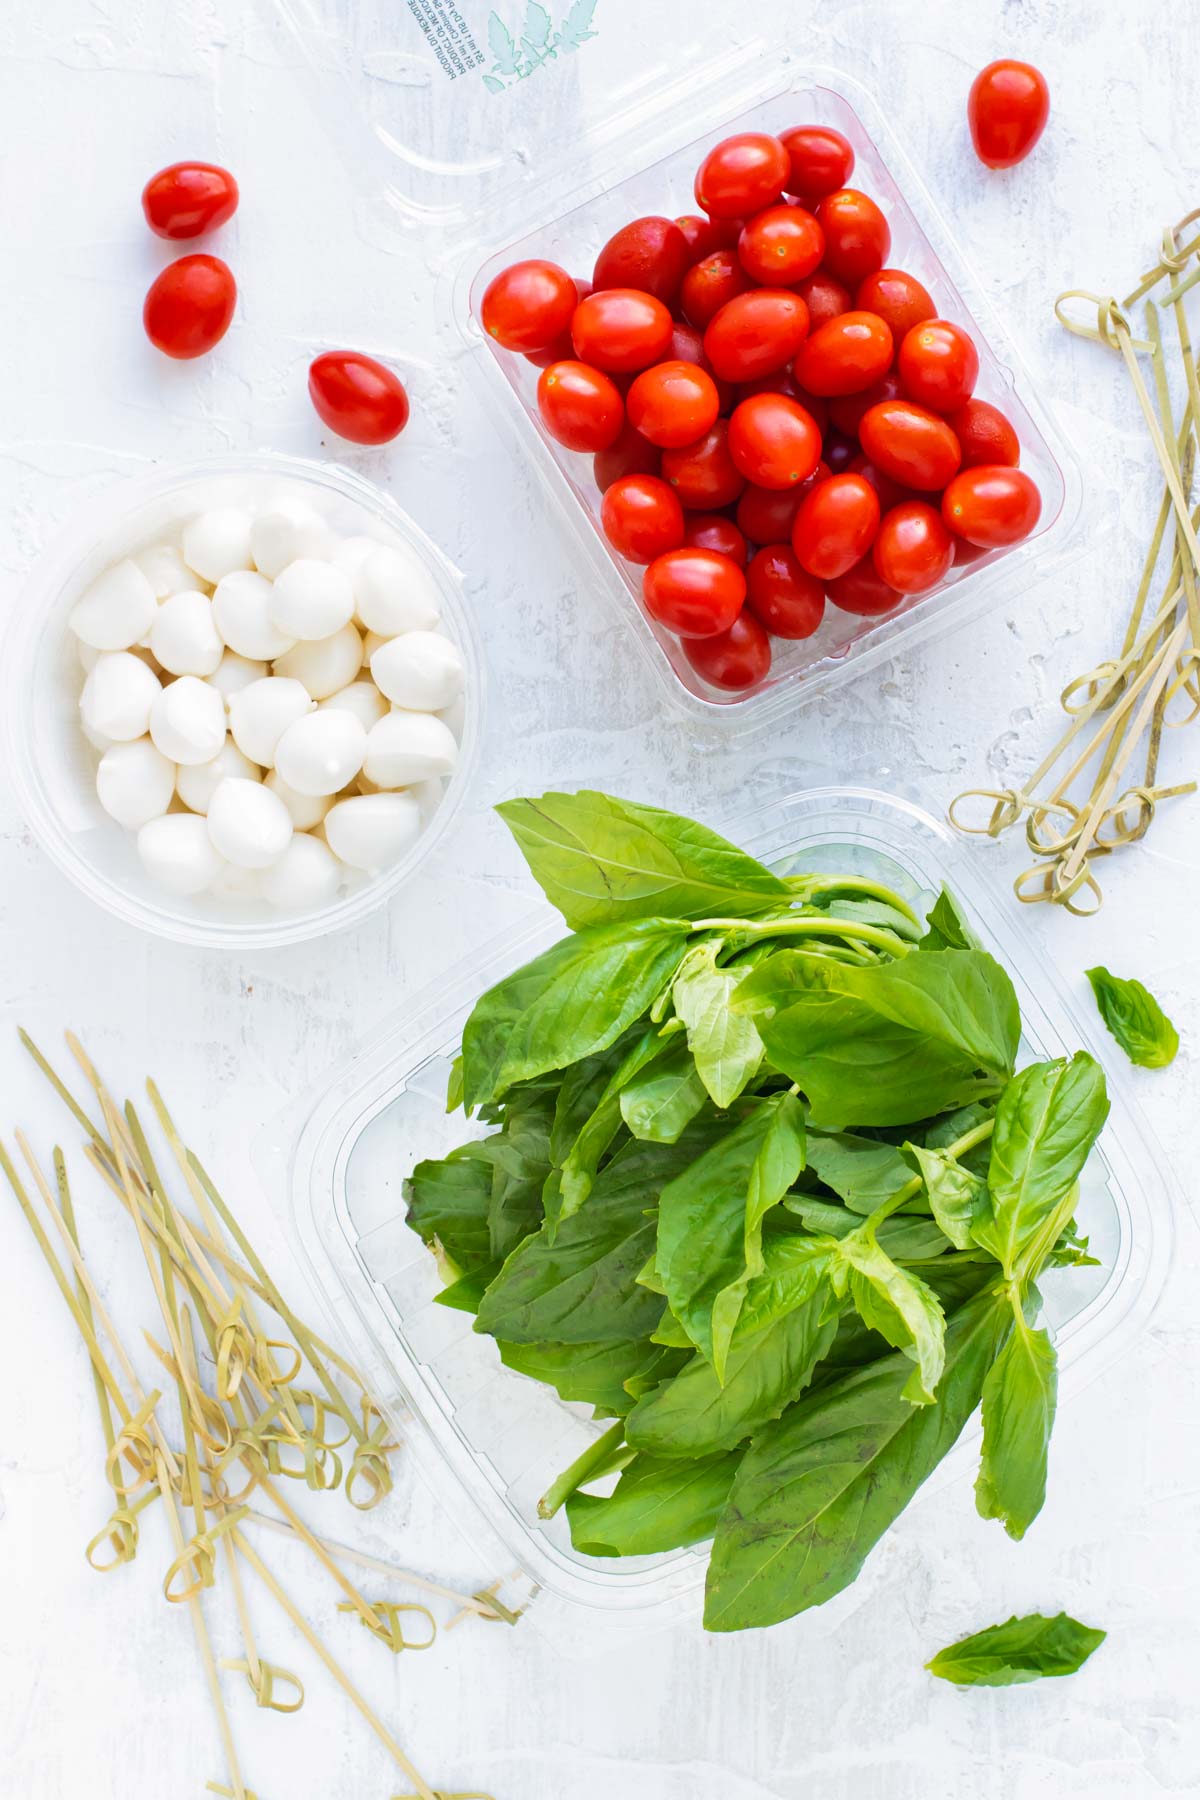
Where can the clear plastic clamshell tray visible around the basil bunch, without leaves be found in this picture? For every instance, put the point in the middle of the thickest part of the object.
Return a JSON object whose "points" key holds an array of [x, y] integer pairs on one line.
{"points": [[492, 1441]]}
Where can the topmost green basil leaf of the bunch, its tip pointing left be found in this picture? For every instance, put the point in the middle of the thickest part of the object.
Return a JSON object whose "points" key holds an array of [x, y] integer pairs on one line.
{"points": [[609, 861]]}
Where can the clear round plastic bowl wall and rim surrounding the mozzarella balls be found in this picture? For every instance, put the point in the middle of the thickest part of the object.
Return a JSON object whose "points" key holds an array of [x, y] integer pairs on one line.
{"points": [[53, 766]]}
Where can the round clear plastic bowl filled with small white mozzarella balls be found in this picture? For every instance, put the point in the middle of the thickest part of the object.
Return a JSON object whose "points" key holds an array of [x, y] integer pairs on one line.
{"points": [[244, 701]]}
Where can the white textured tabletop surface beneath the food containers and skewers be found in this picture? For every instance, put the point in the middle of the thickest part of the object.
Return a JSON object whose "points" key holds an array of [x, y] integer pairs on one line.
{"points": [[100, 1691]]}
